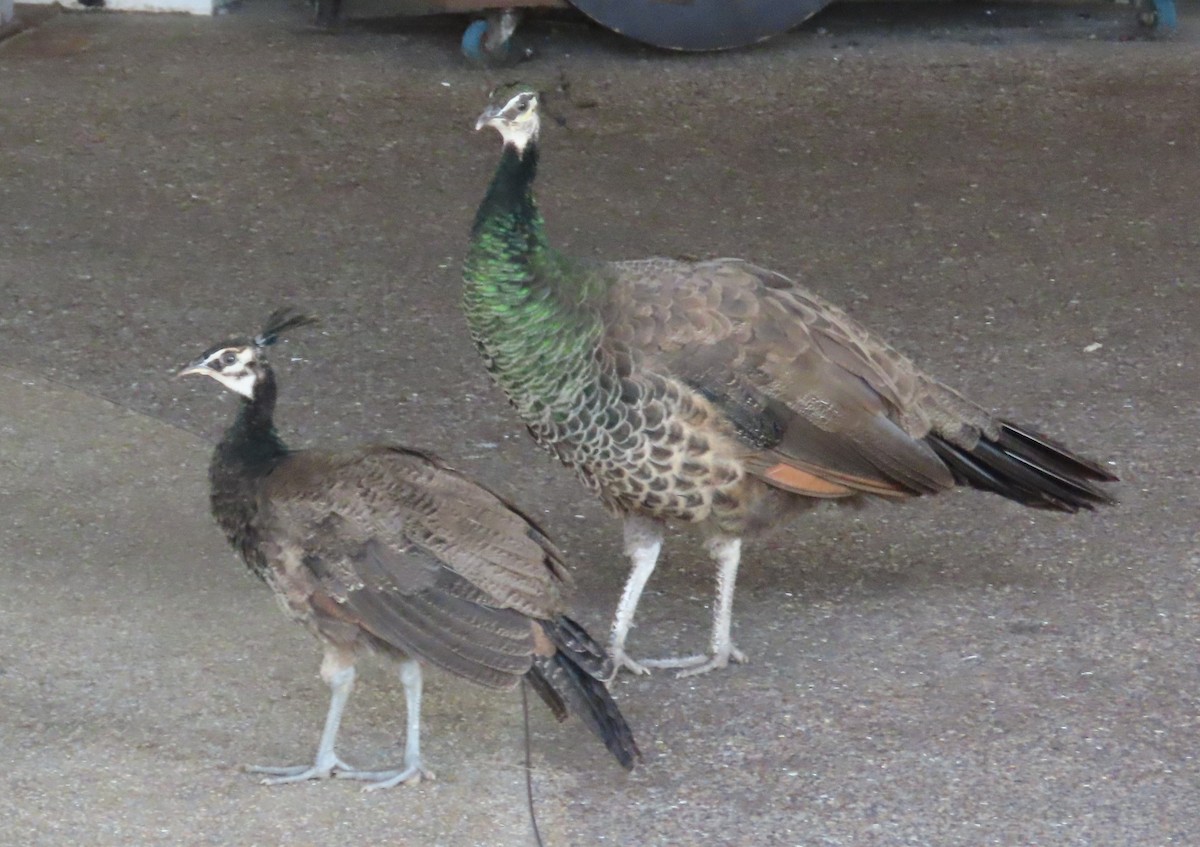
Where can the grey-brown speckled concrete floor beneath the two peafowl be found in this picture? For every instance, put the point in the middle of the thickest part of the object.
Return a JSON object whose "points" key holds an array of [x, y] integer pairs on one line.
{"points": [[1010, 194]]}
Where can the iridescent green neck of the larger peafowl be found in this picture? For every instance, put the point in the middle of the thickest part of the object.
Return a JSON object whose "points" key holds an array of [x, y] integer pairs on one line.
{"points": [[533, 315]]}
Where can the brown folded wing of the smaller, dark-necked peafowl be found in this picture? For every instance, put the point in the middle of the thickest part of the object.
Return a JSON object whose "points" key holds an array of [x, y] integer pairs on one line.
{"points": [[418, 556]]}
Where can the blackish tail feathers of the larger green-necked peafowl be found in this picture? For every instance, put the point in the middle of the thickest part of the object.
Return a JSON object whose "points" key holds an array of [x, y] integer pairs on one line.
{"points": [[1028, 467]]}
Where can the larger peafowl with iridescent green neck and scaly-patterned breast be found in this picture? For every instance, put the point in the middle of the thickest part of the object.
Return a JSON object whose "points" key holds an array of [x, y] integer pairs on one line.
{"points": [[717, 393]]}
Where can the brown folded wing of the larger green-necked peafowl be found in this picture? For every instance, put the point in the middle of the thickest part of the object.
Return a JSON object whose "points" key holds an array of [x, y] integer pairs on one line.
{"points": [[827, 410]]}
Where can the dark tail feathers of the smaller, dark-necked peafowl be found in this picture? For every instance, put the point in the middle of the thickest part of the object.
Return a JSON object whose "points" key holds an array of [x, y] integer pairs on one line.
{"points": [[571, 683]]}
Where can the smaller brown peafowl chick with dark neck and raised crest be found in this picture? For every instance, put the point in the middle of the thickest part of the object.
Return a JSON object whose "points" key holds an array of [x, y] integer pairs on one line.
{"points": [[387, 550]]}
